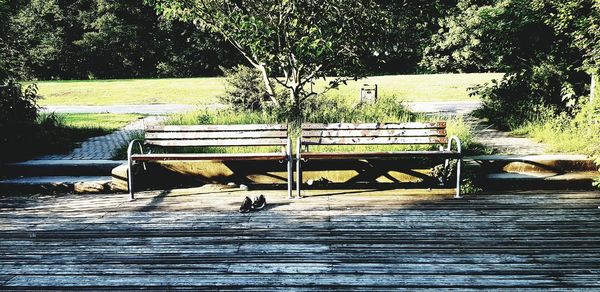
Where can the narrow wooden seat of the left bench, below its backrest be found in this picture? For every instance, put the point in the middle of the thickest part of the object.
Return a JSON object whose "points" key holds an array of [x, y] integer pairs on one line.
{"points": [[209, 156]]}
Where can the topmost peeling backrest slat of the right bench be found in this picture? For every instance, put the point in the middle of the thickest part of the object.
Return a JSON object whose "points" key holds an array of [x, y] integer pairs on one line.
{"points": [[373, 126]]}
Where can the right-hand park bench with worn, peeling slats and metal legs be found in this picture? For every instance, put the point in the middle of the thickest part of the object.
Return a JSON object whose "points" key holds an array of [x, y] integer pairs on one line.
{"points": [[346, 139]]}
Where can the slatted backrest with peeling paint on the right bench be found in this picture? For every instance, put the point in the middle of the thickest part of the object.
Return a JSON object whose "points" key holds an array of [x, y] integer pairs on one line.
{"points": [[374, 133]]}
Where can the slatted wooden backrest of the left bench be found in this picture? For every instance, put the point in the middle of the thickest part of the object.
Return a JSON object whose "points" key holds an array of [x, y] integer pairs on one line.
{"points": [[217, 135]]}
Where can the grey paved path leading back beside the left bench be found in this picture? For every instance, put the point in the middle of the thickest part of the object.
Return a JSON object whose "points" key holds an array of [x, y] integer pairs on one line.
{"points": [[105, 147]]}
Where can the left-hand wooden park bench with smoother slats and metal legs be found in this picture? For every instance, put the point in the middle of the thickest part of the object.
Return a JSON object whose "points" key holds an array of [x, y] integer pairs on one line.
{"points": [[168, 137]]}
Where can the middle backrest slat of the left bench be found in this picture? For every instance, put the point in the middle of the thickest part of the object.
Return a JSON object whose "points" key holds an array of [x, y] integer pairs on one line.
{"points": [[216, 135]]}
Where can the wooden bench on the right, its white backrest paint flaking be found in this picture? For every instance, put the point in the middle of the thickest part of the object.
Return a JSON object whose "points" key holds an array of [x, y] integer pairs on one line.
{"points": [[376, 134]]}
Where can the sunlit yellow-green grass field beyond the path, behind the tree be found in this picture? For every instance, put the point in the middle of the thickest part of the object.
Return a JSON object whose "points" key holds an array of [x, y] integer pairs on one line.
{"points": [[437, 87]]}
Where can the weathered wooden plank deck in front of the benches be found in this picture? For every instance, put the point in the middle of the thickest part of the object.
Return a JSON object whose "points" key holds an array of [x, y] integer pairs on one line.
{"points": [[334, 239]]}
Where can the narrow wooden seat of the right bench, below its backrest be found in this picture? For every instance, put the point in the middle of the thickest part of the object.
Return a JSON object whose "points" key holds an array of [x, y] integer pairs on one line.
{"points": [[386, 155]]}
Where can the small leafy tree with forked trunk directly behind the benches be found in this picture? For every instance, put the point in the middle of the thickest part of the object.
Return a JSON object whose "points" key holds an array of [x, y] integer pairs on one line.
{"points": [[298, 40]]}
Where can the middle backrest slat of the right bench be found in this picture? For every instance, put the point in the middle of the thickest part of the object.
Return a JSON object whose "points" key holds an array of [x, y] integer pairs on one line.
{"points": [[375, 133]]}
